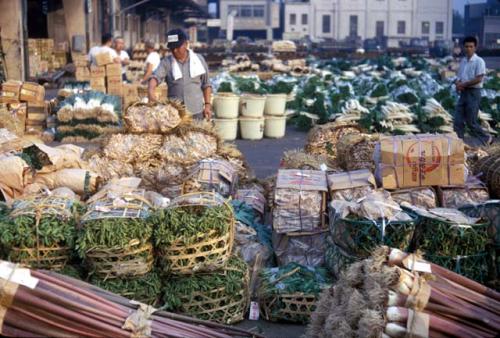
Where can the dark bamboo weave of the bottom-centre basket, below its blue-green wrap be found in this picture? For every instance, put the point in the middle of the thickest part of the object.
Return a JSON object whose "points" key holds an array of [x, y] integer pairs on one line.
{"points": [[296, 307]]}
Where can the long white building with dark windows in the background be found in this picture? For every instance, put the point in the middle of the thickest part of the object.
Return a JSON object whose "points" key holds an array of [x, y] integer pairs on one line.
{"points": [[398, 20]]}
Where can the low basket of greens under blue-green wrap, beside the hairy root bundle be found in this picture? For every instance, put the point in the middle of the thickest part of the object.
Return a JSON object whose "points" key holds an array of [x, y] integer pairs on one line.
{"points": [[290, 292]]}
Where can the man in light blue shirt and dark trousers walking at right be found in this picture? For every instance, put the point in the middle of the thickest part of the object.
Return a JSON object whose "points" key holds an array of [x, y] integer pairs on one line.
{"points": [[469, 83]]}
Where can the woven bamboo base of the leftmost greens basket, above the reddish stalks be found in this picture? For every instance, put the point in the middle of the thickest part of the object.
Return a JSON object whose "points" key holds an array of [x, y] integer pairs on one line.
{"points": [[51, 258]]}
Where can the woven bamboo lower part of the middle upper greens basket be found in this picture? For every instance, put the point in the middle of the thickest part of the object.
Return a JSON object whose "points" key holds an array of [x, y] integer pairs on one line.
{"points": [[134, 260]]}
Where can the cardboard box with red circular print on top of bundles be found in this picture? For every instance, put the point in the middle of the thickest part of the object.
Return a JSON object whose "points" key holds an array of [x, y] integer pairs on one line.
{"points": [[420, 160]]}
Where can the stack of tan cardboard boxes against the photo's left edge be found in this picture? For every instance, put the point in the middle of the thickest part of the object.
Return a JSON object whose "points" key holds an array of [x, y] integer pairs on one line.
{"points": [[23, 108]]}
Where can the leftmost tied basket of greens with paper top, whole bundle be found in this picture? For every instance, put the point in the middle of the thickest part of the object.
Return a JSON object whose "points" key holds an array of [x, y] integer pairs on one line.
{"points": [[40, 230]]}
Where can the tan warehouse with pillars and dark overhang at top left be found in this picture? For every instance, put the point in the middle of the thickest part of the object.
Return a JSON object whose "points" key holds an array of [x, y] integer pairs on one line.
{"points": [[77, 25]]}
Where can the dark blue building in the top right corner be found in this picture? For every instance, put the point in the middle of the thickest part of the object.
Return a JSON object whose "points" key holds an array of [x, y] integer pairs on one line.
{"points": [[483, 21]]}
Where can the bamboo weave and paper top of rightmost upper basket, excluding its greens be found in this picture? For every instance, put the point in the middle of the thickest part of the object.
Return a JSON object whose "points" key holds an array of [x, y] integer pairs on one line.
{"points": [[209, 251]]}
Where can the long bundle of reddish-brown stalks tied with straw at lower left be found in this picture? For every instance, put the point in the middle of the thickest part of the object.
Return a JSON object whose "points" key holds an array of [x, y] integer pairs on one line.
{"points": [[48, 304]]}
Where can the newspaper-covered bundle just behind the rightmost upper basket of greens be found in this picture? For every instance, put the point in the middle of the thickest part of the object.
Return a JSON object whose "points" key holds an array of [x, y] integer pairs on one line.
{"points": [[212, 175]]}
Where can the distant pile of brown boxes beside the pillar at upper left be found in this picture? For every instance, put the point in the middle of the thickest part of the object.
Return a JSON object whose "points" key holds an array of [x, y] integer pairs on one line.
{"points": [[45, 56]]}
